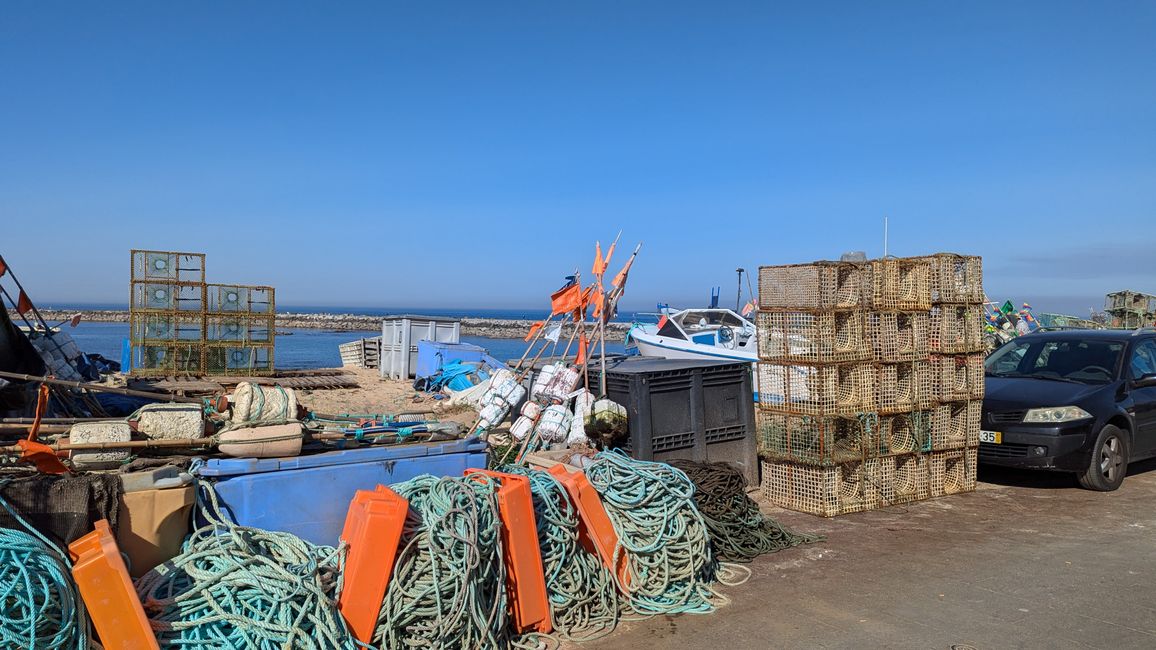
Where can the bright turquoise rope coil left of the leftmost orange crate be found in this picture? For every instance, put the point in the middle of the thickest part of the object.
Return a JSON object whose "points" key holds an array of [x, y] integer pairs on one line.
{"points": [[42, 608]]}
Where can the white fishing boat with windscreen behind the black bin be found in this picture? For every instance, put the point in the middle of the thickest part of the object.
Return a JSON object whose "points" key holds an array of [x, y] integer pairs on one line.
{"points": [[696, 334]]}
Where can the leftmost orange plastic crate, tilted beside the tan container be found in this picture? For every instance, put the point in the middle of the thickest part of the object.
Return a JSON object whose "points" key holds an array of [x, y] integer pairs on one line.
{"points": [[109, 596]]}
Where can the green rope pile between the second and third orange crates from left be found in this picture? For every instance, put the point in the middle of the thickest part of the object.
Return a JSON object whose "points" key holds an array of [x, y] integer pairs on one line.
{"points": [[448, 588]]}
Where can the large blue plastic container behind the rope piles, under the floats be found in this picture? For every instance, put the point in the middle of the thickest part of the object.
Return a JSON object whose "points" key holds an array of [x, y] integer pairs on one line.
{"points": [[309, 496]]}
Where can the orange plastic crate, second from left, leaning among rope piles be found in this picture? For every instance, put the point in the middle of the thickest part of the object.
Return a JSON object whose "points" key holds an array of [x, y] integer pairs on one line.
{"points": [[374, 528]]}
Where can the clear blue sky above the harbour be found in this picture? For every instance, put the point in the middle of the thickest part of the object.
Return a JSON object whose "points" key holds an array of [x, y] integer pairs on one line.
{"points": [[469, 154]]}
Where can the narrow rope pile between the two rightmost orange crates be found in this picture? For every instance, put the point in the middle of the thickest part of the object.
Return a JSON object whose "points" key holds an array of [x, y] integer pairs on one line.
{"points": [[584, 599]]}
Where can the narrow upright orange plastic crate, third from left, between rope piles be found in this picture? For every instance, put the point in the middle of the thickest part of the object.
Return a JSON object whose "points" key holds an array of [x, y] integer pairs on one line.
{"points": [[525, 577]]}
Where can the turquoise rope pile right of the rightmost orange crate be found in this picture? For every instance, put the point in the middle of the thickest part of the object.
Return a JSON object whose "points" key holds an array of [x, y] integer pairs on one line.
{"points": [[670, 563]]}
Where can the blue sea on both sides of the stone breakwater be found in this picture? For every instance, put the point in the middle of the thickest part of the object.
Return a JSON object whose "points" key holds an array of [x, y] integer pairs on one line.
{"points": [[305, 349]]}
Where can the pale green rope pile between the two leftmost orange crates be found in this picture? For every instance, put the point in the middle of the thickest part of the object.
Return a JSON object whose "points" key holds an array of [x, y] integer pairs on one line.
{"points": [[238, 587]]}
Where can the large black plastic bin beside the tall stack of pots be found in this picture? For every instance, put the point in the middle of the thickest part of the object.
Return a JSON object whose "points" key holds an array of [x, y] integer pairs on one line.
{"points": [[684, 409]]}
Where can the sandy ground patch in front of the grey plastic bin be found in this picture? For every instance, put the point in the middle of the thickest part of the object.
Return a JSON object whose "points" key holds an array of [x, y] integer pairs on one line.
{"points": [[376, 395]]}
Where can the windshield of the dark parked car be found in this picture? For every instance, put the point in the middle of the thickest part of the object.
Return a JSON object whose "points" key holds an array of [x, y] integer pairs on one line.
{"points": [[1068, 360]]}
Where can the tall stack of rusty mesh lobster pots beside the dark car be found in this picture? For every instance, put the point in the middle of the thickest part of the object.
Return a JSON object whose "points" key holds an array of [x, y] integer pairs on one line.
{"points": [[871, 381]]}
